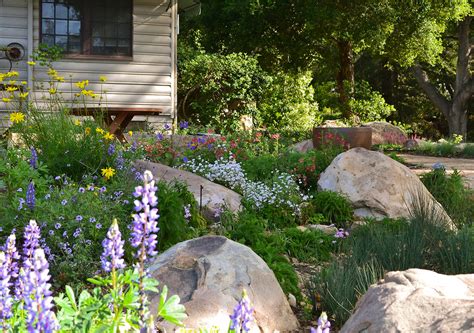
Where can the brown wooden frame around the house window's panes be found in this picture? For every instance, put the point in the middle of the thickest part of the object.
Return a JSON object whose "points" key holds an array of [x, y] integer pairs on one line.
{"points": [[86, 36]]}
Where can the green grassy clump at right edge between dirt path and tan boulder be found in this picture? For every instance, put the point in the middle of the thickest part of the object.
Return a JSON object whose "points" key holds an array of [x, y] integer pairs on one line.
{"points": [[450, 192]]}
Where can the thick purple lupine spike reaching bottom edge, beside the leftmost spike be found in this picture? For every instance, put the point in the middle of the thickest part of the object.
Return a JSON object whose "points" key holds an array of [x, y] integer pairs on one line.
{"points": [[38, 300]]}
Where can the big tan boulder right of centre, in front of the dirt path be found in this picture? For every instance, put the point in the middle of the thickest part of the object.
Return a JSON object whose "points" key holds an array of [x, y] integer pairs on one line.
{"points": [[378, 186]]}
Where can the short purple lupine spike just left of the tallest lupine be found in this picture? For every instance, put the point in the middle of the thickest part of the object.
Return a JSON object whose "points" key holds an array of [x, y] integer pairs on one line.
{"points": [[112, 257]]}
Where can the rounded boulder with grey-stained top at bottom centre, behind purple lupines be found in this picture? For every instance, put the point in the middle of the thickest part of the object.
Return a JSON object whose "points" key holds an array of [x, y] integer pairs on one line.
{"points": [[209, 274]]}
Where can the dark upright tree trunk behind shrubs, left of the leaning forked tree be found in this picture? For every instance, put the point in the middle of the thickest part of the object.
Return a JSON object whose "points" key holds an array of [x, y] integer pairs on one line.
{"points": [[345, 76]]}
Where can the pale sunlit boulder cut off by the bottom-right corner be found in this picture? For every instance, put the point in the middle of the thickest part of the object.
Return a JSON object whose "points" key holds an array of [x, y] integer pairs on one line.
{"points": [[416, 300]]}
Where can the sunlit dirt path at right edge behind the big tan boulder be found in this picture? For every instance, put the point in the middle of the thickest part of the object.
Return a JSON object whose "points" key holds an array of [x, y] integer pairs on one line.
{"points": [[423, 164]]}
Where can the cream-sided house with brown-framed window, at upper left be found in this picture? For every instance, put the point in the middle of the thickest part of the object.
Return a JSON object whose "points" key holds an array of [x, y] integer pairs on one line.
{"points": [[131, 42]]}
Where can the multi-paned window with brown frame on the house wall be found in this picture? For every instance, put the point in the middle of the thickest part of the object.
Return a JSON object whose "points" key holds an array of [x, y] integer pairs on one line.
{"points": [[88, 27]]}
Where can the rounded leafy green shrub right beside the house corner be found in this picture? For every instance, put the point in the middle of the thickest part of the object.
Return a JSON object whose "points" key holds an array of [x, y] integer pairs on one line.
{"points": [[217, 89]]}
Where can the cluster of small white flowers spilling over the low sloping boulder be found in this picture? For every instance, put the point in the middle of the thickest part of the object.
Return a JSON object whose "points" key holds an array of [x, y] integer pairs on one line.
{"points": [[283, 191]]}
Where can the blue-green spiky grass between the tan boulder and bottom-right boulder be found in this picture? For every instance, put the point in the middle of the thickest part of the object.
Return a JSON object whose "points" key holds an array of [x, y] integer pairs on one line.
{"points": [[392, 245]]}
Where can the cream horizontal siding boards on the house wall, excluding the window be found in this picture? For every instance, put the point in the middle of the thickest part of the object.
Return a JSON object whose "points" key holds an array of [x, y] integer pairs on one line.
{"points": [[146, 81]]}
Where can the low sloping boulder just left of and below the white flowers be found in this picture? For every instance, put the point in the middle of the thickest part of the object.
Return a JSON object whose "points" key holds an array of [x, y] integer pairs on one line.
{"points": [[212, 196]]}
